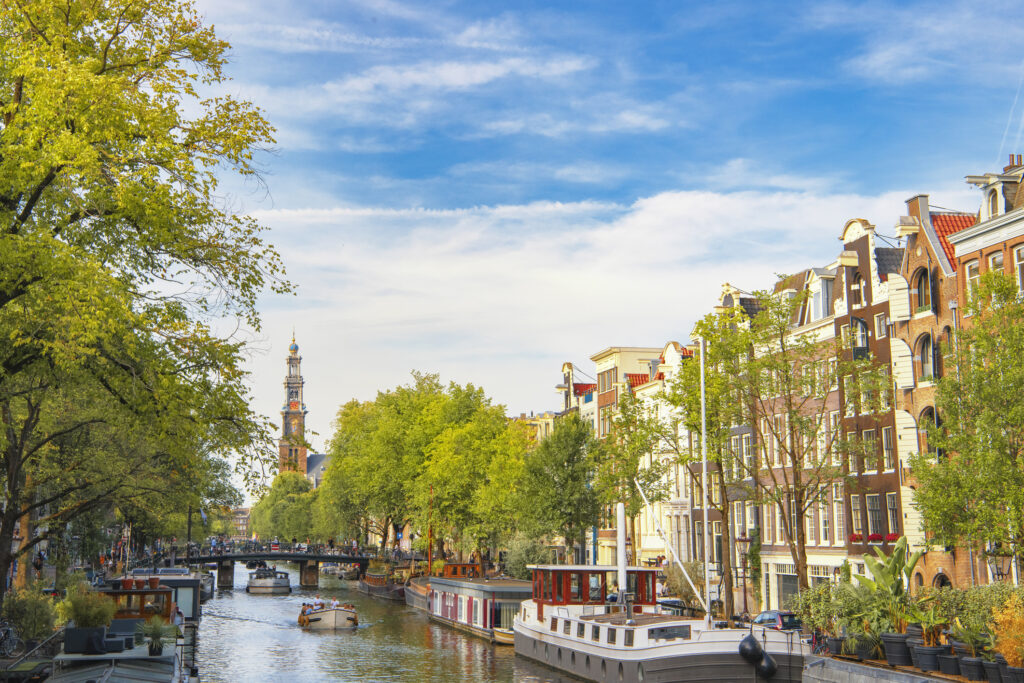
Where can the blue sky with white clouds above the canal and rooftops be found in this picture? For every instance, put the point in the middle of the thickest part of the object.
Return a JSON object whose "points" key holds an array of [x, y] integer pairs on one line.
{"points": [[486, 191]]}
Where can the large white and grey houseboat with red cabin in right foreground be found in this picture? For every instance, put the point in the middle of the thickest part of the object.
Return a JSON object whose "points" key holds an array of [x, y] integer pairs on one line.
{"points": [[571, 625]]}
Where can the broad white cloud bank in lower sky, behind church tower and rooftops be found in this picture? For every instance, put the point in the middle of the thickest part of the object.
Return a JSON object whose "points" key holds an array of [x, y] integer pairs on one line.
{"points": [[501, 295]]}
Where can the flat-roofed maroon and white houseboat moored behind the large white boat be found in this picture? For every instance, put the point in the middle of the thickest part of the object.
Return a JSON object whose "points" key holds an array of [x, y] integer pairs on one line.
{"points": [[484, 608]]}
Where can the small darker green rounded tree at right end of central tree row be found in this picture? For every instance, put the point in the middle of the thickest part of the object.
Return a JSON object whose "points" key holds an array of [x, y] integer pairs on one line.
{"points": [[560, 497]]}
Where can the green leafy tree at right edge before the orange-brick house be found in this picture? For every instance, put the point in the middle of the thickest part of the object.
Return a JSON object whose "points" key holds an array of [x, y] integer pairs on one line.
{"points": [[971, 476]]}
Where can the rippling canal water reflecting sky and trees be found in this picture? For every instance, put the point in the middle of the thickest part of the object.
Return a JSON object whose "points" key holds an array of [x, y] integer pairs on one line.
{"points": [[246, 637]]}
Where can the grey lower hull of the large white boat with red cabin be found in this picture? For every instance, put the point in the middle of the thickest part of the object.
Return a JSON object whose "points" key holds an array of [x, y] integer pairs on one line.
{"points": [[698, 668]]}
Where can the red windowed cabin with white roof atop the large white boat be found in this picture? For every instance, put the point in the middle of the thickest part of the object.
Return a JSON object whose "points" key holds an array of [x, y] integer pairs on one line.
{"points": [[590, 585]]}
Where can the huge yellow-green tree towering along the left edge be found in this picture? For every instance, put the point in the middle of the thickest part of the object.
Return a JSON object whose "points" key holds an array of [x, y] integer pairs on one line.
{"points": [[117, 251]]}
